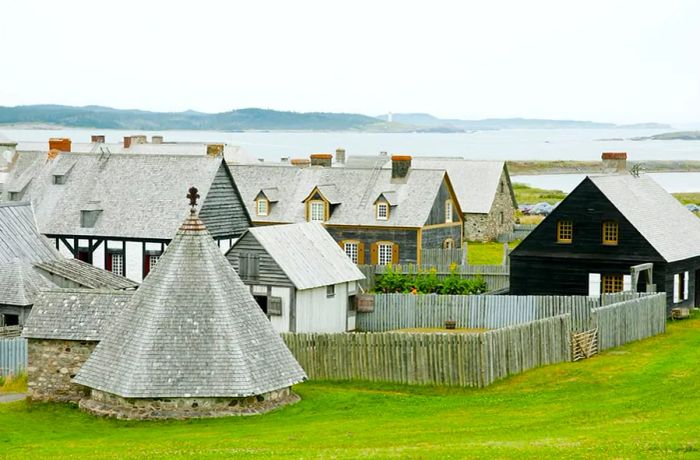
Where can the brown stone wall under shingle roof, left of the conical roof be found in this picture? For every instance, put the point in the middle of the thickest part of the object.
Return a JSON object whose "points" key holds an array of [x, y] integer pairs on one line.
{"points": [[52, 364]]}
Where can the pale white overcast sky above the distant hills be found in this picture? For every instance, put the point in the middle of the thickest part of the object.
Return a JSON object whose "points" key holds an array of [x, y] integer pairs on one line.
{"points": [[614, 61]]}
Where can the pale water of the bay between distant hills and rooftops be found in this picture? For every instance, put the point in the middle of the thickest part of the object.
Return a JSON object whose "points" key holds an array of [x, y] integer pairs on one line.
{"points": [[510, 144]]}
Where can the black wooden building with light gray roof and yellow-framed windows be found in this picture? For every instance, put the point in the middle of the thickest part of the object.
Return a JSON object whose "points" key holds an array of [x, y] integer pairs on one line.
{"points": [[607, 225]]}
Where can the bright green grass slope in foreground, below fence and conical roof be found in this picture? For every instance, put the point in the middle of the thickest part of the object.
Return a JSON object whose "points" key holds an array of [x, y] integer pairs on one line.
{"points": [[638, 401]]}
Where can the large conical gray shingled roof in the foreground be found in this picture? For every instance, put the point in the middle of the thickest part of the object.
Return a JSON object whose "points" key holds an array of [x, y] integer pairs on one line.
{"points": [[191, 330]]}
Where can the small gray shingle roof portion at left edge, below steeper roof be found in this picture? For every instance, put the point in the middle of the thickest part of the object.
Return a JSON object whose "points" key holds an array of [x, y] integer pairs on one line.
{"points": [[20, 283]]}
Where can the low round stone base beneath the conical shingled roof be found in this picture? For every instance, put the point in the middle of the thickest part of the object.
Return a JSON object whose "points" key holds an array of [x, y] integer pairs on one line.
{"points": [[109, 405]]}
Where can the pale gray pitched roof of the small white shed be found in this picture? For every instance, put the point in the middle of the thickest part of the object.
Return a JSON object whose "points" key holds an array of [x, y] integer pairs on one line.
{"points": [[307, 254]]}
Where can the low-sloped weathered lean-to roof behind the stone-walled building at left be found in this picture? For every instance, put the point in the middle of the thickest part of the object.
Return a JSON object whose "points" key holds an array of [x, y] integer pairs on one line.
{"points": [[86, 275]]}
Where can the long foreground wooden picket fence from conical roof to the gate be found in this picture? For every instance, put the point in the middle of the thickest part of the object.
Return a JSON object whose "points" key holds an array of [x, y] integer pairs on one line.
{"points": [[476, 359]]}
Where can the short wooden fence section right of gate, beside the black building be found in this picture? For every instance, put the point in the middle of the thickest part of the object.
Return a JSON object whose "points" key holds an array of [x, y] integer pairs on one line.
{"points": [[627, 321]]}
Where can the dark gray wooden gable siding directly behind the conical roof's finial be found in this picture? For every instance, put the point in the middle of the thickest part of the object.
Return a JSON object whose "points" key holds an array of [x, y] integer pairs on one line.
{"points": [[223, 211]]}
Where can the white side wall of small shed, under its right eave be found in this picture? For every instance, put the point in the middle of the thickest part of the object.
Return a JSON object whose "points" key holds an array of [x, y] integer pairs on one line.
{"points": [[318, 313]]}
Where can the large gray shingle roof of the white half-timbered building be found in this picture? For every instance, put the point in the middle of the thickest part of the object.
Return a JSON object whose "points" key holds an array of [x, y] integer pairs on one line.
{"points": [[139, 194]]}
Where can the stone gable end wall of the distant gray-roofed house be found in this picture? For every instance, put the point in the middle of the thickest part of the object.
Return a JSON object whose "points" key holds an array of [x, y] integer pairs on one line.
{"points": [[487, 227]]}
